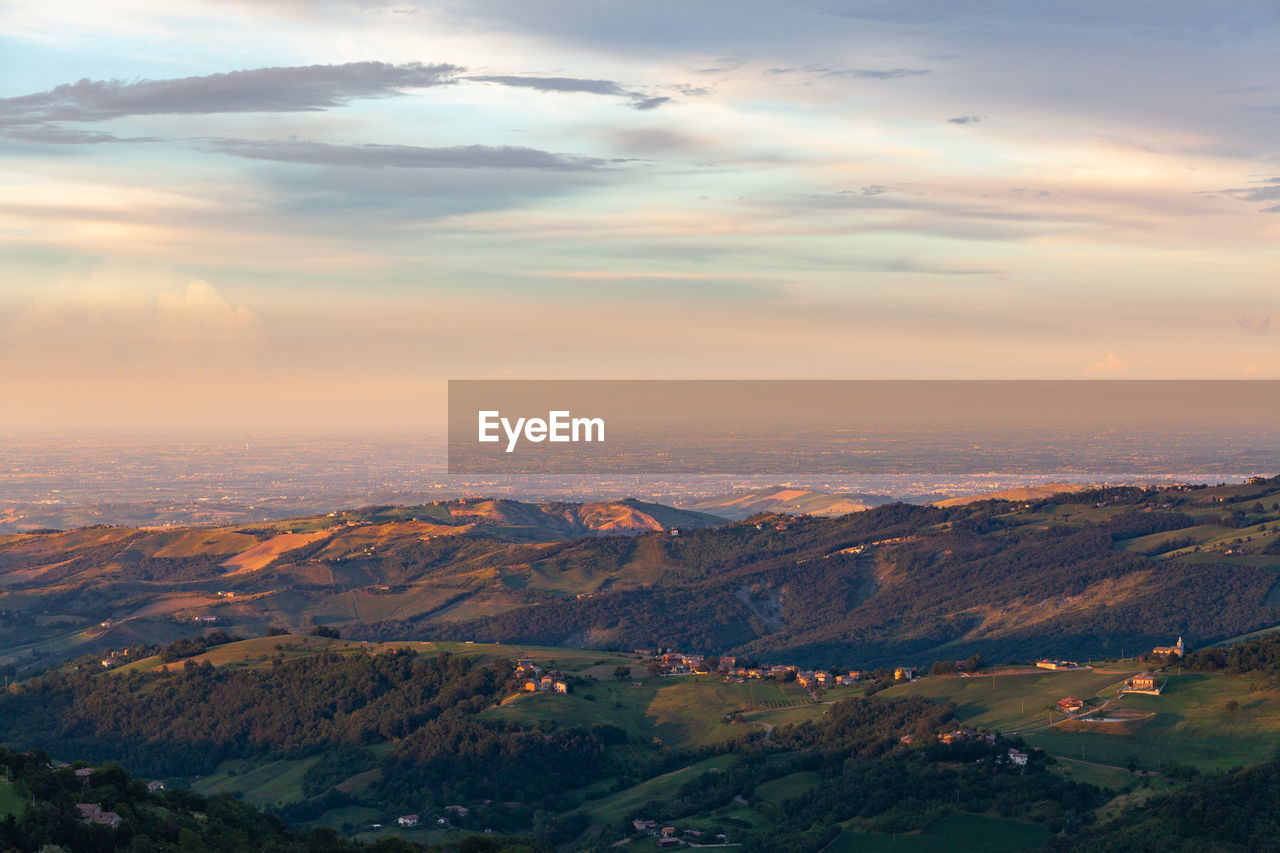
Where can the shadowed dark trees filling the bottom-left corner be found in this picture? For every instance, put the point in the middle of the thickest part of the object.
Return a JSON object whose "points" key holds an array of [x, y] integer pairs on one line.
{"points": [[172, 820]]}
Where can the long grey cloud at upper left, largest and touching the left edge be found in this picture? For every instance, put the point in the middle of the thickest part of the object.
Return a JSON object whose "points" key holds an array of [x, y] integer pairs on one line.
{"points": [[260, 90]]}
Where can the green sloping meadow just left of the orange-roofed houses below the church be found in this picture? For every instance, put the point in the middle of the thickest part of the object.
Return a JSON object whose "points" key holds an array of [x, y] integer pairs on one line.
{"points": [[1011, 703]]}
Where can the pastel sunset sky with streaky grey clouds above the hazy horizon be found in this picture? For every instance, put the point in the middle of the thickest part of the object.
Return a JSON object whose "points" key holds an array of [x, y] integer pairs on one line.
{"points": [[294, 213]]}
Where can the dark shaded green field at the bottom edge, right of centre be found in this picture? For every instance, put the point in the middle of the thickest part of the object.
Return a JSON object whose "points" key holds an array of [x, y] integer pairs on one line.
{"points": [[958, 832]]}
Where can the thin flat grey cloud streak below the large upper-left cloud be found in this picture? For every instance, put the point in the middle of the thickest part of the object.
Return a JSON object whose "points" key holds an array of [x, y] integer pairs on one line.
{"points": [[404, 157]]}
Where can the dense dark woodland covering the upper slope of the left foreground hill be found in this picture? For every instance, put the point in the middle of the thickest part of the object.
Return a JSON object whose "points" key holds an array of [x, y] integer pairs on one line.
{"points": [[289, 708]]}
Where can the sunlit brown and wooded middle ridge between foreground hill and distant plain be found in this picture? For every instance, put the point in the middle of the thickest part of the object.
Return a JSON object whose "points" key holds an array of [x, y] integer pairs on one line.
{"points": [[1085, 574]]}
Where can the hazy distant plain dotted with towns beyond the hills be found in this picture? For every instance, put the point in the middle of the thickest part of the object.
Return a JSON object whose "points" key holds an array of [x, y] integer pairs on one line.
{"points": [[156, 481]]}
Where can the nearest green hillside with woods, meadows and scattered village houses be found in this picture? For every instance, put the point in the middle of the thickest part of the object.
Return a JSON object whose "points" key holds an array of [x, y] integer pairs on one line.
{"points": [[337, 738]]}
